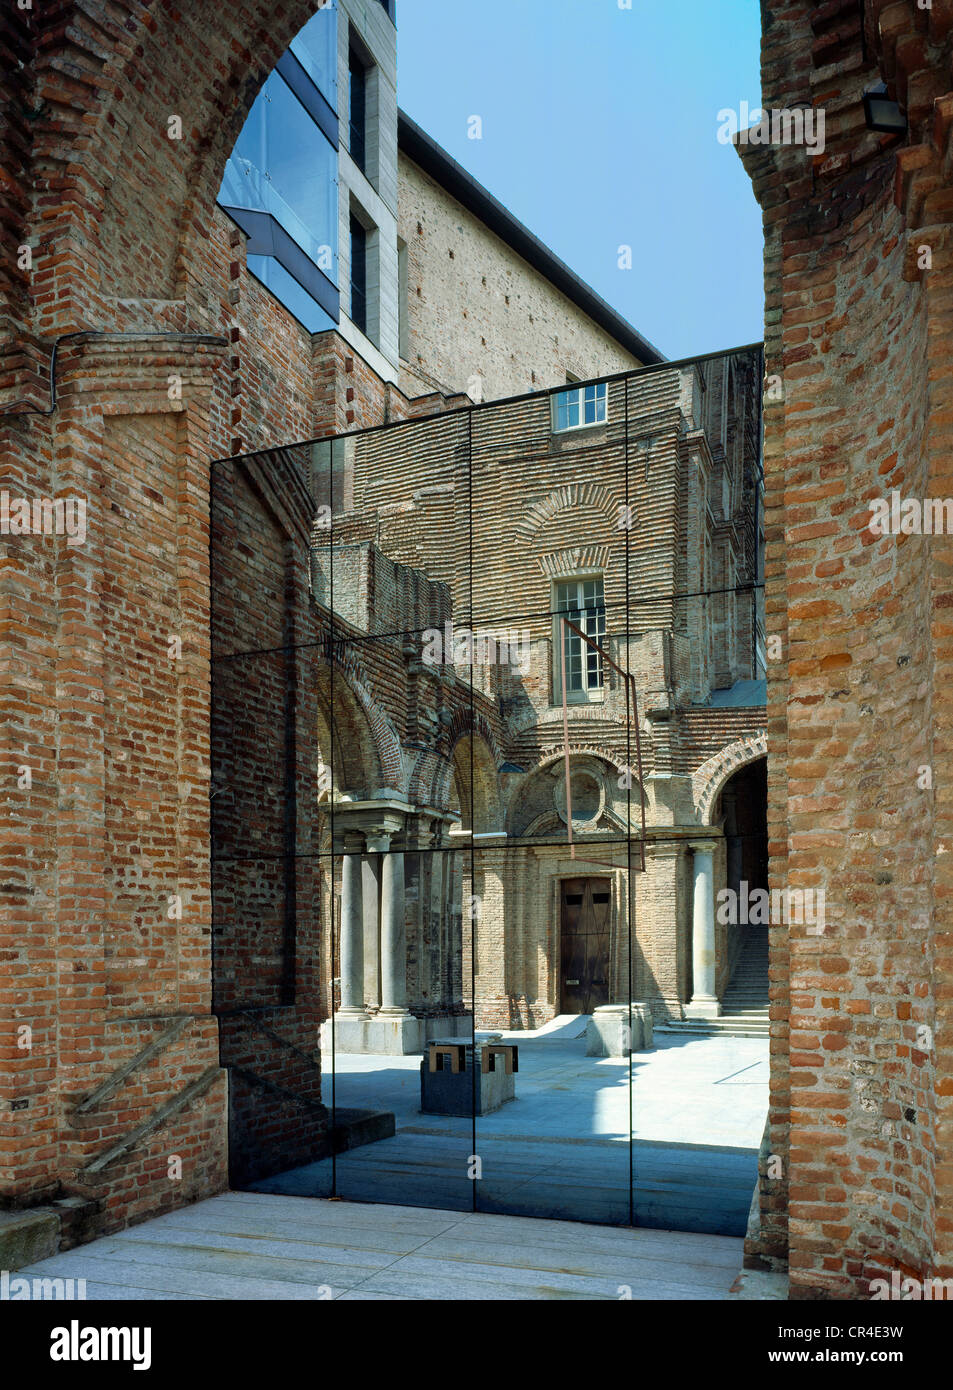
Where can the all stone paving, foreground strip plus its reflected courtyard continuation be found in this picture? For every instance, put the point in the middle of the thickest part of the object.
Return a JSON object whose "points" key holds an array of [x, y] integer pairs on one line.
{"points": [[561, 1149]]}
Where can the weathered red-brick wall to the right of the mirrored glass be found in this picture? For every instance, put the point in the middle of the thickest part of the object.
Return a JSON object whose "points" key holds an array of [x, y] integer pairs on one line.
{"points": [[861, 1021]]}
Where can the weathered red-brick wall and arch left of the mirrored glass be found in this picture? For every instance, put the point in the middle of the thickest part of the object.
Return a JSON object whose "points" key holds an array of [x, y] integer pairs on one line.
{"points": [[109, 842]]}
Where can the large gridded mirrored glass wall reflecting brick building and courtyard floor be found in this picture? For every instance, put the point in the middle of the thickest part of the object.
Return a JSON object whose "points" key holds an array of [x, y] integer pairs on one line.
{"points": [[431, 957]]}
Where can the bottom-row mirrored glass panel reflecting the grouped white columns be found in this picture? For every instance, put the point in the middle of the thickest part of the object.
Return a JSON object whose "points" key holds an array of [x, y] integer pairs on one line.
{"points": [[402, 1028]]}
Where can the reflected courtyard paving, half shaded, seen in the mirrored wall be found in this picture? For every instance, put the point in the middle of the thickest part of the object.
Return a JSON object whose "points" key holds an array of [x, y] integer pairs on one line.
{"points": [[561, 1149]]}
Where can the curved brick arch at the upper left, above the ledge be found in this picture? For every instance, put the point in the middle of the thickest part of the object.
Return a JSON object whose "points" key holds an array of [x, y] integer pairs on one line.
{"points": [[135, 204]]}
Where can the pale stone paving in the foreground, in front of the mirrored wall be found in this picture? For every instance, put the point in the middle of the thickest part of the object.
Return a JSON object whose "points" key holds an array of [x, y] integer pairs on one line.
{"points": [[251, 1246]]}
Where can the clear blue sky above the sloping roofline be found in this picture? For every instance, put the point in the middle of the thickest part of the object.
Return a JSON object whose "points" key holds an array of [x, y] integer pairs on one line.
{"points": [[599, 130]]}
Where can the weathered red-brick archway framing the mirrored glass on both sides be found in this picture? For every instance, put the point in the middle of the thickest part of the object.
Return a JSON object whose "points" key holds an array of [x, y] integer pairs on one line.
{"points": [[112, 1042]]}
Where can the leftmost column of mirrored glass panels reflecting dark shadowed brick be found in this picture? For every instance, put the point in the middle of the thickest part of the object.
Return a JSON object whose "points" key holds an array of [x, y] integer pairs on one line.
{"points": [[266, 822]]}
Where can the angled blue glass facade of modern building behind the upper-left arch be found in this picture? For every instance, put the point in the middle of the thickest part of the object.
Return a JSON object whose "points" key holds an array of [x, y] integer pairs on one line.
{"points": [[285, 166]]}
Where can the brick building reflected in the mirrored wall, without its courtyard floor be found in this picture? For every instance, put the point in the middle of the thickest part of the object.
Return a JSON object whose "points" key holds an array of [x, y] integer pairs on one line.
{"points": [[351, 721]]}
